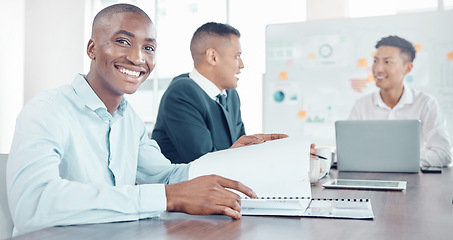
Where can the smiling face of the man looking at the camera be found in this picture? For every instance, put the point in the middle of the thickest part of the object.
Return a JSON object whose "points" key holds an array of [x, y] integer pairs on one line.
{"points": [[122, 49]]}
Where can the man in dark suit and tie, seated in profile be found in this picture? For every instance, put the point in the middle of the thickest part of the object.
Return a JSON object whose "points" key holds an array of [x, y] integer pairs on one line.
{"points": [[200, 112]]}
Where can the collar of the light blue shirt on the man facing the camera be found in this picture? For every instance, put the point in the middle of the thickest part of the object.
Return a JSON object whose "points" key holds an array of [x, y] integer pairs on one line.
{"points": [[90, 98]]}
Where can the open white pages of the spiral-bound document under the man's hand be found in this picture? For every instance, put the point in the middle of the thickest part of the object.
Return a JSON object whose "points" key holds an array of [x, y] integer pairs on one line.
{"points": [[276, 170]]}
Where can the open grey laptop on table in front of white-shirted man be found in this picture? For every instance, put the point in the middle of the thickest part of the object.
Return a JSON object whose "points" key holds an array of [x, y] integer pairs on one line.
{"points": [[378, 145]]}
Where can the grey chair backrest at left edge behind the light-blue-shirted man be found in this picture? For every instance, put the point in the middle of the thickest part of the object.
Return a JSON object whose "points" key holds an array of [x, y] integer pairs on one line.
{"points": [[6, 222]]}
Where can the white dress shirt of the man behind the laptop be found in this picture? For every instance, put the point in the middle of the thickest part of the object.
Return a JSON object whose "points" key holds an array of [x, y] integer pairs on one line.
{"points": [[414, 104]]}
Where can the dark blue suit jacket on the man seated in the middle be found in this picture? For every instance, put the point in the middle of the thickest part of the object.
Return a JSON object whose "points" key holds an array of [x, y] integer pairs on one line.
{"points": [[190, 124]]}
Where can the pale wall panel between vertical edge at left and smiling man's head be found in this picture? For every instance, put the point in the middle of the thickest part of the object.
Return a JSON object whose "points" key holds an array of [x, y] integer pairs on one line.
{"points": [[54, 43]]}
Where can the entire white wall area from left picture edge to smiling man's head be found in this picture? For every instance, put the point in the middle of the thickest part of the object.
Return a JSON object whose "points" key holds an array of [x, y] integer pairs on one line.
{"points": [[41, 48]]}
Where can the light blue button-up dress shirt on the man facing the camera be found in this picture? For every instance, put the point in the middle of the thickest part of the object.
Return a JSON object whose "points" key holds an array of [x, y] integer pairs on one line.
{"points": [[71, 162]]}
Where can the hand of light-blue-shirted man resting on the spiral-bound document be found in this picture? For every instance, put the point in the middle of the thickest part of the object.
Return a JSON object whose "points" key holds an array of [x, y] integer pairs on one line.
{"points": [[207, 195]]}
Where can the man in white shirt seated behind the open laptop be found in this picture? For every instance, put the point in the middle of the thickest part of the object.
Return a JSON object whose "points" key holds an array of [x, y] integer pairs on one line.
{"points": [[395, 100]]}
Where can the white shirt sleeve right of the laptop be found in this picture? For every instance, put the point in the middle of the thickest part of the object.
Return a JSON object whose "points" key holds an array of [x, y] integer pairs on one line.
{"points": [[436, 150]]}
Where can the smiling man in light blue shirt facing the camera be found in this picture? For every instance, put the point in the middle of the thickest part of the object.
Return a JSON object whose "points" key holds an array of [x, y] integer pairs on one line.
{"points": [[79, 150]]}
